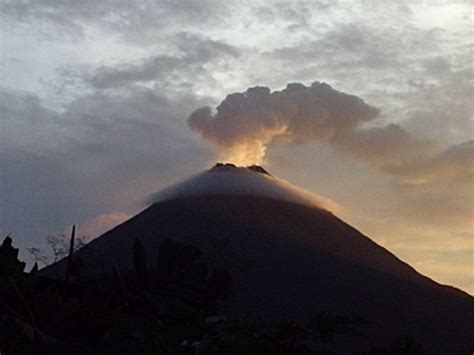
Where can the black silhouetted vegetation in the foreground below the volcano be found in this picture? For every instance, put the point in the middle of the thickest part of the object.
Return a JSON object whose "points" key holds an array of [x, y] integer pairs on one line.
{"points": [[173, 307]]}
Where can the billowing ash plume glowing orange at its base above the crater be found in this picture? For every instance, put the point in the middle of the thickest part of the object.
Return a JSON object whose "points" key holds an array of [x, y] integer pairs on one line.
{"points": [[244, 124]]}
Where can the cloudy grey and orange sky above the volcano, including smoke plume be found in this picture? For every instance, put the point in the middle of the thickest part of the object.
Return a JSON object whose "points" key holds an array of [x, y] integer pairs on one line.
{"points": [[368, 103]]}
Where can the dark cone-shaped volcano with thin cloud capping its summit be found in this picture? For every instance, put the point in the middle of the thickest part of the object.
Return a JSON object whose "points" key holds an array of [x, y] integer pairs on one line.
{"points": [[289, 257]]}
